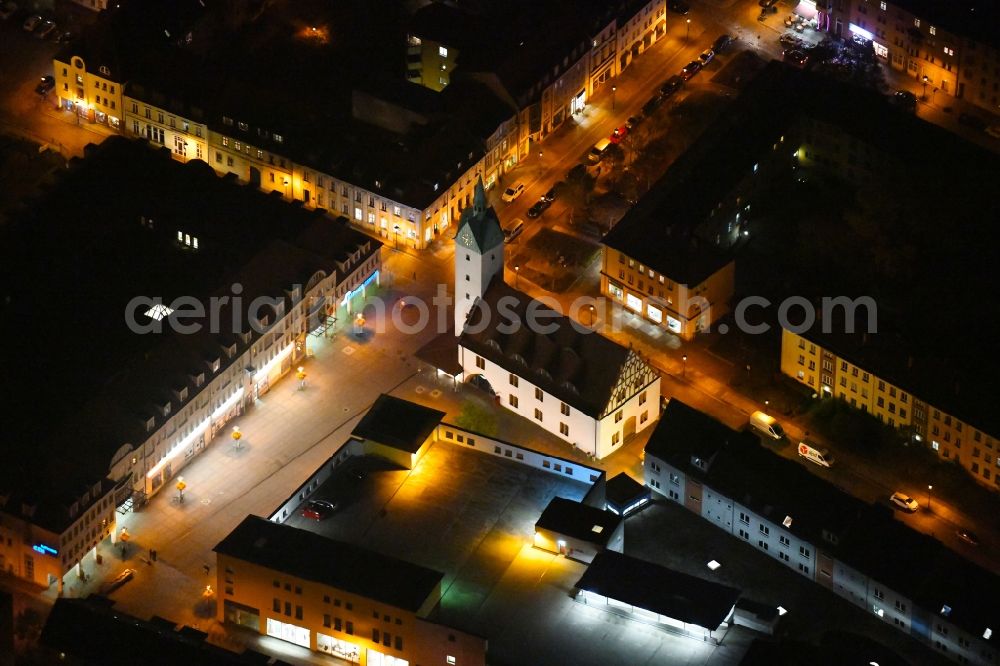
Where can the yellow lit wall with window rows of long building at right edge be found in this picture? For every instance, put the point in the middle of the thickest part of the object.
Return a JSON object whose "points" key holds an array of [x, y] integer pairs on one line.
{"points": [[828, 374]]}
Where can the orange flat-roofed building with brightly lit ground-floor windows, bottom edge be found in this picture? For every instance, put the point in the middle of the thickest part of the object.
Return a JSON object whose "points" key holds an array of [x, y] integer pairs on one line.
{"points": [[334, 597]]}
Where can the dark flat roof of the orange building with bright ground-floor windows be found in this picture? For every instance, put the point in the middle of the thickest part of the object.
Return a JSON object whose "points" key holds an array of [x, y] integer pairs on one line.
{"points": [[341, 565]]}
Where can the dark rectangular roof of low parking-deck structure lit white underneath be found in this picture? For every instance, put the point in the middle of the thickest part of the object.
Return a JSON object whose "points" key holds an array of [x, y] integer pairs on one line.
{"points": [[658, 589]]}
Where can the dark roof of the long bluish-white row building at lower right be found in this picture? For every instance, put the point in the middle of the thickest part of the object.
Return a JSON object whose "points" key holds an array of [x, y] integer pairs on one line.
{"points": [[868, 537]]}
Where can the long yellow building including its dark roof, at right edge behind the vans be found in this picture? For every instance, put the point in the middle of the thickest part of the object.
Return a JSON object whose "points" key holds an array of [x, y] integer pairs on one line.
{"points": [[876, 374]]}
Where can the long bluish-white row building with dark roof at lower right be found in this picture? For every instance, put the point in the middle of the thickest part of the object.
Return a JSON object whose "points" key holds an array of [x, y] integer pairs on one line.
{"points": [[858, 551]]}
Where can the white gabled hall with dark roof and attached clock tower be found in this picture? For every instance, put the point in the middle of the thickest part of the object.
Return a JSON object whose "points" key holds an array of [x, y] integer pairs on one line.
{"points": [[577, 384]]}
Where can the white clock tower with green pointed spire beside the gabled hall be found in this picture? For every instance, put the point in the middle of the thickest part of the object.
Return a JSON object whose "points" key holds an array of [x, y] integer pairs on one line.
{"points": [[478, 254]]}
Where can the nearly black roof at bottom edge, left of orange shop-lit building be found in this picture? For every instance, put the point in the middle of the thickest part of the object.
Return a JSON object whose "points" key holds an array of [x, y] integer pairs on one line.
{"points": [[90, 631]]}
